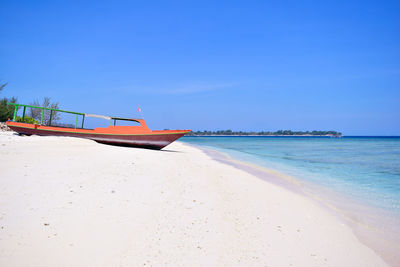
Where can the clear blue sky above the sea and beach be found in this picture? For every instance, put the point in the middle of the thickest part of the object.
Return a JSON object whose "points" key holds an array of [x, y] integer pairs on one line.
{"points": [[240, 65]]}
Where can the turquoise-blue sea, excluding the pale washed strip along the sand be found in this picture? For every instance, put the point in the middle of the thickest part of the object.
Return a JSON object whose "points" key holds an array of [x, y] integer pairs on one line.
{"points": [[366, 169]]}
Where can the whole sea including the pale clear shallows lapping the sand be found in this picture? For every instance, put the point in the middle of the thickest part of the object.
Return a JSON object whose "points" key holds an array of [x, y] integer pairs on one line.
{"points": [[358, 177]]}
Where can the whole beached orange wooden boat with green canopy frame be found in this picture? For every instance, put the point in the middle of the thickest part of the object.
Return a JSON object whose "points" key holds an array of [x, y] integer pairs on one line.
{"points": [[135, 136]]}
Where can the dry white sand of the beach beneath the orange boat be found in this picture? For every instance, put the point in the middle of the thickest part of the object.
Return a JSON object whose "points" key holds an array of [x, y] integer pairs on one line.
{"points": [[73, 202]]}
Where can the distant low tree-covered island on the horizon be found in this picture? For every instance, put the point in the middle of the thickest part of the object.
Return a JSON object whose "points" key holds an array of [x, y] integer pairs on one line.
{"points": [[263, 133]]}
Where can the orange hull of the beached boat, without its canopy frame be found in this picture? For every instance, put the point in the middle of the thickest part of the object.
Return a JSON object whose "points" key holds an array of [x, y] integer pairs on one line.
{"points": [[135, 136]]}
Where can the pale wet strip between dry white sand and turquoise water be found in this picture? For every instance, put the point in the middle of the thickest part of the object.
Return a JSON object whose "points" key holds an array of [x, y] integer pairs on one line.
{"points": [[368, 232]]}
